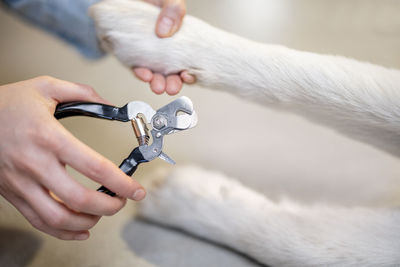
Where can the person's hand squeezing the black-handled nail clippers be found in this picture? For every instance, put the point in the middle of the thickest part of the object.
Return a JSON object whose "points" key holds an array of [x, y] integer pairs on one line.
{"points": [[34, 152]]}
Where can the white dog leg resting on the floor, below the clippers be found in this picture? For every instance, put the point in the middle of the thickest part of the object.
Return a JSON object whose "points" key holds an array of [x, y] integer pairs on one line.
{"points": [[220, 209]]}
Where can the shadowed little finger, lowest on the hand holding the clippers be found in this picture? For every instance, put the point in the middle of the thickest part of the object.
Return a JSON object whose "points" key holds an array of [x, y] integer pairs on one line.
{"points": [[38, 223]]}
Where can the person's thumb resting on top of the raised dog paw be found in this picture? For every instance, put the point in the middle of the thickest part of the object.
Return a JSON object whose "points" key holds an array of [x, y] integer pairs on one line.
{"points": [[170, 19]]}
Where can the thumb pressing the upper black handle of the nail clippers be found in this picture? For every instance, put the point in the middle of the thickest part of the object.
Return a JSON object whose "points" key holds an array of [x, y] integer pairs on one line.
{"points": [[63, 91]]}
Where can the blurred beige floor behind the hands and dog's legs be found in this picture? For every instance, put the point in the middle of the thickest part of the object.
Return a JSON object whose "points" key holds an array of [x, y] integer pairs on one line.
{"points": [[277, 154]]}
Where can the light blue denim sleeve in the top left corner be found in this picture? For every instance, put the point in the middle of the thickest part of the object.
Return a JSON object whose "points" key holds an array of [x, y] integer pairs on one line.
{"points": [[68, 19]]}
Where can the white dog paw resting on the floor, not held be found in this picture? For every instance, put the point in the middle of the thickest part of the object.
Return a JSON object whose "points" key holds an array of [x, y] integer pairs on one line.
{"points": [[188, 193]]}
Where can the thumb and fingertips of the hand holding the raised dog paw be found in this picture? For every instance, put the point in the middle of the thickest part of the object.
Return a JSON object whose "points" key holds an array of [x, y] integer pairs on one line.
{"points": [[168, 23]]}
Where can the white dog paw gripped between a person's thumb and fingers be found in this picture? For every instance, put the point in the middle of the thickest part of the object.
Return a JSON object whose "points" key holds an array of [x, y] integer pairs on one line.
{"points": [[128, 29]]}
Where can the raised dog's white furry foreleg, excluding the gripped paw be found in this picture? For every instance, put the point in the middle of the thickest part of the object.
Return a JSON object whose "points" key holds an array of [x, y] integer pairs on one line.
{"points": [[359, 99]]}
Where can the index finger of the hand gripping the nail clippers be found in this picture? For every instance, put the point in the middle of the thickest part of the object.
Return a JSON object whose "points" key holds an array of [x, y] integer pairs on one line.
{"points": [[79, 156]]}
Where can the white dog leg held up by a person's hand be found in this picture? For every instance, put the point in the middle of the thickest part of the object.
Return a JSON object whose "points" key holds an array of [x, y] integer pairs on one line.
{"points": [[359, 99]]}
